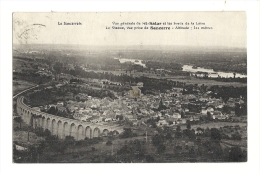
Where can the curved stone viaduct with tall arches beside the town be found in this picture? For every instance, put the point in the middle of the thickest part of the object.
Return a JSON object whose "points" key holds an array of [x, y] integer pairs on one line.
{"points": [[63, 126]]}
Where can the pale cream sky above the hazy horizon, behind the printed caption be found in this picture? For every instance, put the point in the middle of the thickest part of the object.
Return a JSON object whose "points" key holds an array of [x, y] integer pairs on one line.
{"points": [[229, 29]]}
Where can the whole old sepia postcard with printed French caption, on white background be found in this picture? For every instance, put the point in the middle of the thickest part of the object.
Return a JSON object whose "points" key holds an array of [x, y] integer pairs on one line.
{"points": [[129, 87]]}
